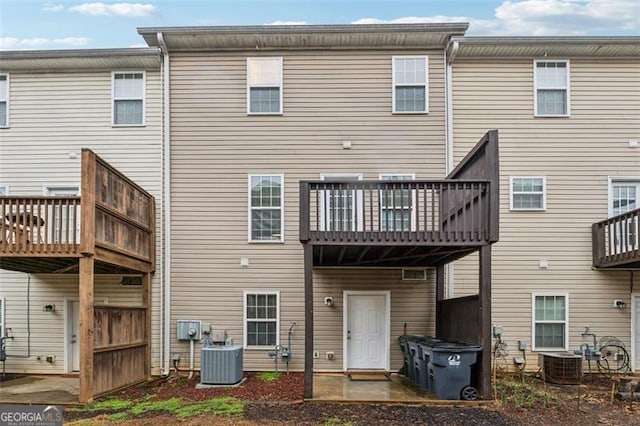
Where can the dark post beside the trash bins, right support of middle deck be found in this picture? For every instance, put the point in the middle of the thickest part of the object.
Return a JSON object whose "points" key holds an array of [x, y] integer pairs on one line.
{"points": [[485, 322]]}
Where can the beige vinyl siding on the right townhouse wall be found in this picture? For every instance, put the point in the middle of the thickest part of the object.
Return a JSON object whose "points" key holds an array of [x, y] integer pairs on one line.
{"points": [[577, 155]]}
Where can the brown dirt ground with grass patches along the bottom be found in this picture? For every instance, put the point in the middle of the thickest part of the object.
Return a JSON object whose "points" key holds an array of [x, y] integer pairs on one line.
{"points": [[279, 401]]}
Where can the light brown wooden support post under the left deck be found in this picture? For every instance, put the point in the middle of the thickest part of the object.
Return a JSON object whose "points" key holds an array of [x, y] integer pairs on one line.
{"points": [[86, 287]]}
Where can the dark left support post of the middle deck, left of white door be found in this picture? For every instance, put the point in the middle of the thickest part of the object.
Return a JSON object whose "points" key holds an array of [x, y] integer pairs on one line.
{"points": [[308, 321]]}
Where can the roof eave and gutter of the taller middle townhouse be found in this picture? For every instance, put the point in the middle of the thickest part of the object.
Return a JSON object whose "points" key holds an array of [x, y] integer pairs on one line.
{"points": [[283, 37]]}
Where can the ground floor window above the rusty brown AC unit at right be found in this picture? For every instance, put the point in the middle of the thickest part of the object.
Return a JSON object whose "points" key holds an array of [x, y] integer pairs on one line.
{"points": [[550, 313]]}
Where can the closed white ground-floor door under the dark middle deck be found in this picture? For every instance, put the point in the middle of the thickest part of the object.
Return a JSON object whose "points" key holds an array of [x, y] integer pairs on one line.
{"points": [[367, 331]]}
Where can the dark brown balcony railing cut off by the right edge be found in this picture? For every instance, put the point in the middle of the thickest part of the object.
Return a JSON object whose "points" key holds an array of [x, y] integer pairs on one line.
{"points": [[616, 241]]}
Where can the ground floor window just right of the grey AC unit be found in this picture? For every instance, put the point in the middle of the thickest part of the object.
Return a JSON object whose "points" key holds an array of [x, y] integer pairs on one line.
{"points": [[262, 316]]}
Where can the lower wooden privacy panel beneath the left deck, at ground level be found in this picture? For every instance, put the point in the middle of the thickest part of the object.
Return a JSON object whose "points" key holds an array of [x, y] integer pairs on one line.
{"points": [[120, 339]]}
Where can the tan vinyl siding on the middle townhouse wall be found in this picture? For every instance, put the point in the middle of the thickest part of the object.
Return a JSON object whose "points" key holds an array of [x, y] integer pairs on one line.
{"points": [[328, 97]]}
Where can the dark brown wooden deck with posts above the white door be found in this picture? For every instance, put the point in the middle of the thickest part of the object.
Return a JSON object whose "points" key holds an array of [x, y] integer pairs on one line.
{"points": [[409, 223]]}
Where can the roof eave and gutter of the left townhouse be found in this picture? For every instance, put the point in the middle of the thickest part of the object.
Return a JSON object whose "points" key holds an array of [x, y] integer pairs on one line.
{"points": [[71, 60]]}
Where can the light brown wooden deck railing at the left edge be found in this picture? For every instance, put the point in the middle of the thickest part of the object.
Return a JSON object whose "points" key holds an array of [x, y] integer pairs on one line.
{"points": [[39, 225]]}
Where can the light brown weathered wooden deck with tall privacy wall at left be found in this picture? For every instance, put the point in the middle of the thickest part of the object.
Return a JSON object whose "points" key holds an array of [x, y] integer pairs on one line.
{"points": [[109, 229]]}
